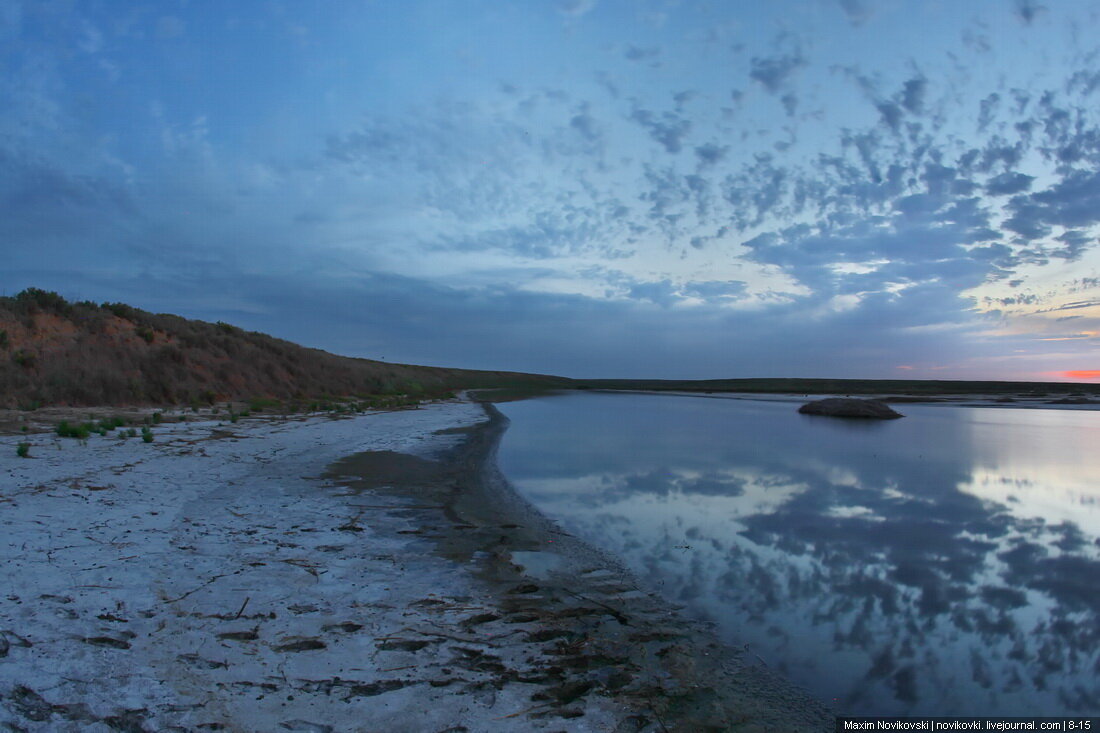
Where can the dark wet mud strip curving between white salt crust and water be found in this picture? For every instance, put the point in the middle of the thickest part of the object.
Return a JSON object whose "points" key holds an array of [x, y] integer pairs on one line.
{"points": [[596, 639]]}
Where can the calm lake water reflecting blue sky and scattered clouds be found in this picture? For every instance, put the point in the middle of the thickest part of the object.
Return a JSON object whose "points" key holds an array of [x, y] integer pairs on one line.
{"points": [[948, 563]]}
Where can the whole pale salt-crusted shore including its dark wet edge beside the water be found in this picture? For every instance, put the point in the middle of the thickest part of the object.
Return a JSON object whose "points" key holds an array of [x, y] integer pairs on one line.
{"points": [[357, 574]]}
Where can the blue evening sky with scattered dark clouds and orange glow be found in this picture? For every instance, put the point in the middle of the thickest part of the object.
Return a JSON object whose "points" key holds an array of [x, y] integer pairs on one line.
{"points": [[634, 189]]}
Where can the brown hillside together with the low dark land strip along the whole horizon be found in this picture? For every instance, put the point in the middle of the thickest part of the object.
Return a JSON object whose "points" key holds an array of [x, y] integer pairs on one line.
{"points": [[58, 353]]}
